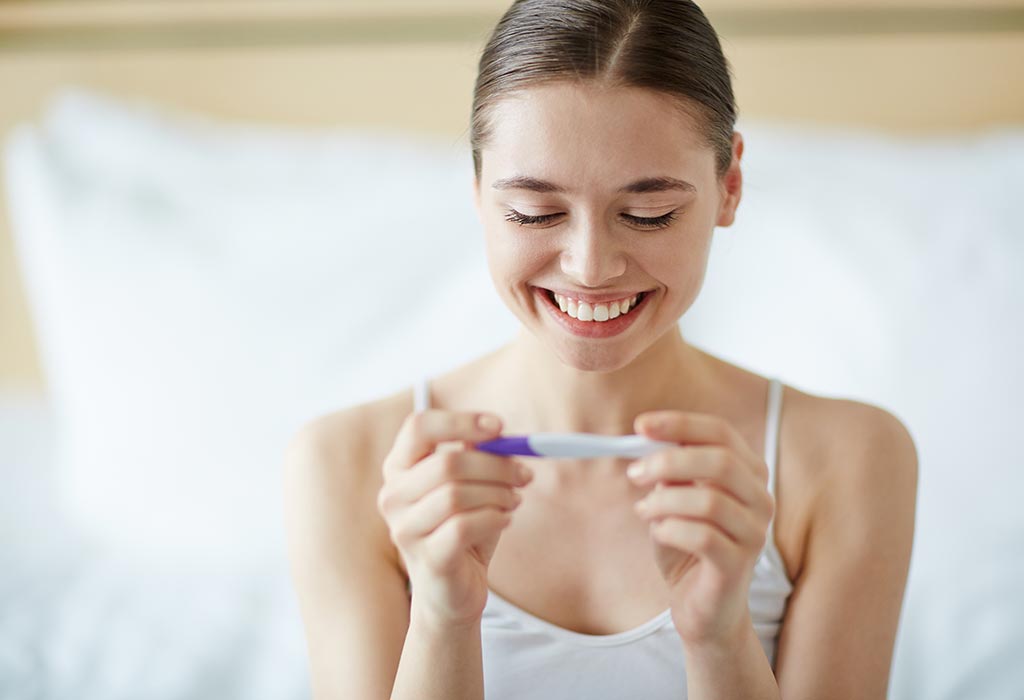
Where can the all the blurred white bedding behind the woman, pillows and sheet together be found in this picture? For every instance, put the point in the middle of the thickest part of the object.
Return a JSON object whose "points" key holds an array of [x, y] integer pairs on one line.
{"points": [[195, 291]]}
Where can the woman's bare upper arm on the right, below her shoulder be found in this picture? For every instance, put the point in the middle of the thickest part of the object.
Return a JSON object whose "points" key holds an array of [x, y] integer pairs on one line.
{"points": [[840, 629]]}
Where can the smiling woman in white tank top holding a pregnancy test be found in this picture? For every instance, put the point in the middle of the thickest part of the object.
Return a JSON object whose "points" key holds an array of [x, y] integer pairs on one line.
{"points": [[763, 556]]}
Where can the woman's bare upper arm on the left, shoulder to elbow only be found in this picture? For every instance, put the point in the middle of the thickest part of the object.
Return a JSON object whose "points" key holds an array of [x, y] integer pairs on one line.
{"points": [[351, 590]]}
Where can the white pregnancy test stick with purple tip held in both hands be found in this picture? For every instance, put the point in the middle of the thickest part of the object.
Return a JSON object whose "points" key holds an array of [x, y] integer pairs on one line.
{"points": [[574, 446]]}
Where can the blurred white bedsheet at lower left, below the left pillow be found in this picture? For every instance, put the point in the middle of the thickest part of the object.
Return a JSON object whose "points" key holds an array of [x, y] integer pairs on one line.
{"points": [[80, 624]]}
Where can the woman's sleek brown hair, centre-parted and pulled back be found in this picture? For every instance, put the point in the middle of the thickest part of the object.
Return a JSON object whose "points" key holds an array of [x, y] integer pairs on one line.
{"points": [[666, 46]]}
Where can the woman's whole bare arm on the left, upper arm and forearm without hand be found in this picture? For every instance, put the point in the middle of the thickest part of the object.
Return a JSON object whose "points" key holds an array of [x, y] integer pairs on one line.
{"points": [[364, 639]]}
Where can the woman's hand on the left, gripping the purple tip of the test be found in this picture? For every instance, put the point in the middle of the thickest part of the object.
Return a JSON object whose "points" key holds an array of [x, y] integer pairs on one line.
{"points": [[446, 510]]}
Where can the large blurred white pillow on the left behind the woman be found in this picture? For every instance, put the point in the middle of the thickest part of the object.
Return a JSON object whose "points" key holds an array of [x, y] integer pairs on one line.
{"points": [[200, 292]]}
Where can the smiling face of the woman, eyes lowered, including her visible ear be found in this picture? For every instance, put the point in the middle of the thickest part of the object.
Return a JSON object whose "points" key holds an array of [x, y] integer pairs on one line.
{"points": [[600, 195]]}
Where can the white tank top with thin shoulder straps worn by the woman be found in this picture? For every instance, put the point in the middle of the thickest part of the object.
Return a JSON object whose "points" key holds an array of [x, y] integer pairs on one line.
{"points": [[528, 658]]}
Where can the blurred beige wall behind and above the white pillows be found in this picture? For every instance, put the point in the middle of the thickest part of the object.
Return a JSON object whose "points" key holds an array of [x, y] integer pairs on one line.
{"points": [[898, 66]]}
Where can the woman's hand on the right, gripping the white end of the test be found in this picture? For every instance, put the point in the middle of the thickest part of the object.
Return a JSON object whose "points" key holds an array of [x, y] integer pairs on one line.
{"points": [[709, 509]]}
